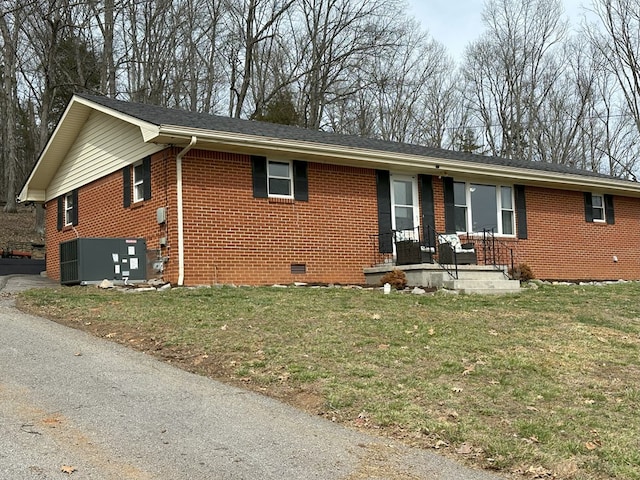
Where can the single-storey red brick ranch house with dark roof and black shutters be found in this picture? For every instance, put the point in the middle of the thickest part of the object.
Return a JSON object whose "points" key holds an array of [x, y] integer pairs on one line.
{"points": [[224, 200]]}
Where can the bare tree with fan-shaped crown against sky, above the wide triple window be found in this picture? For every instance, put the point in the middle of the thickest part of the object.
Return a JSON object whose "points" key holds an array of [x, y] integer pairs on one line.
{"points": [[510, 69]]}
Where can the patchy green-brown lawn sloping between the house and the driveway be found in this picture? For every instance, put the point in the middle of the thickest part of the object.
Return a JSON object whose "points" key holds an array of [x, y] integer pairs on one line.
{"points": [[547, 379]]}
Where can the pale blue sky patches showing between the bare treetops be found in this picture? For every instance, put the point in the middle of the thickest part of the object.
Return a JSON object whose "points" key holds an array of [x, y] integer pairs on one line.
{"points": [[455, 23]]}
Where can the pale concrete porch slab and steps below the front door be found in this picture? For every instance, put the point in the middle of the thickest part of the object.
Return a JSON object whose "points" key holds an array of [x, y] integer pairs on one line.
{"points": [[479, 279]]}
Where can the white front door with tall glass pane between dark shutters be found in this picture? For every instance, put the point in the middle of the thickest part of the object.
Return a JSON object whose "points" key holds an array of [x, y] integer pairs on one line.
{"points": [[404, 206]]}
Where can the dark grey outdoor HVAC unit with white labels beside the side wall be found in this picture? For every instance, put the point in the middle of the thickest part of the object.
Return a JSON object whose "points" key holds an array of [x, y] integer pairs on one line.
{"points": [[91, 260]]}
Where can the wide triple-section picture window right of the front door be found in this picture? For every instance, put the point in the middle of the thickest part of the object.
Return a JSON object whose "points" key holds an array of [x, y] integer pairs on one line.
{"points": [[480, 207]]}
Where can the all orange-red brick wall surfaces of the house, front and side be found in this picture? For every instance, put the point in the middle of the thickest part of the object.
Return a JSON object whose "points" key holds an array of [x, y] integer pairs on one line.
{"points": [[232, 237]]}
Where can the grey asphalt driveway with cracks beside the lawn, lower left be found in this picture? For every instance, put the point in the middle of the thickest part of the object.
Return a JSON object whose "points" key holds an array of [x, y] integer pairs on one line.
{"points": [[68, 399]]}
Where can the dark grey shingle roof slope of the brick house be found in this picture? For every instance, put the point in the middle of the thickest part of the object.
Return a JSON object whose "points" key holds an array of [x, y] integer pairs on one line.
{"points": [[165, 116]]}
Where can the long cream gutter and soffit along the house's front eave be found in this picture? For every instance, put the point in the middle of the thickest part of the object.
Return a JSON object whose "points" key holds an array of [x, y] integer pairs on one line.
{"points": [[329, 153]]}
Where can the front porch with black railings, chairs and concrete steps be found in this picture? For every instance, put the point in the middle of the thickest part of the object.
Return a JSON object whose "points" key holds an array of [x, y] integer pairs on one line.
{"points": [[466, 263]]}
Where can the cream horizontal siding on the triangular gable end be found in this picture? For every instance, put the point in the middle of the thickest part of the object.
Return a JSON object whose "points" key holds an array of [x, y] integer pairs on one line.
{"points": [[104, 145]]}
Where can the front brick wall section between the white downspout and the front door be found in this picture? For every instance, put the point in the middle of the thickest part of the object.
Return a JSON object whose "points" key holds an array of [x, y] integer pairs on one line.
{"points": [[232, 237]]}
